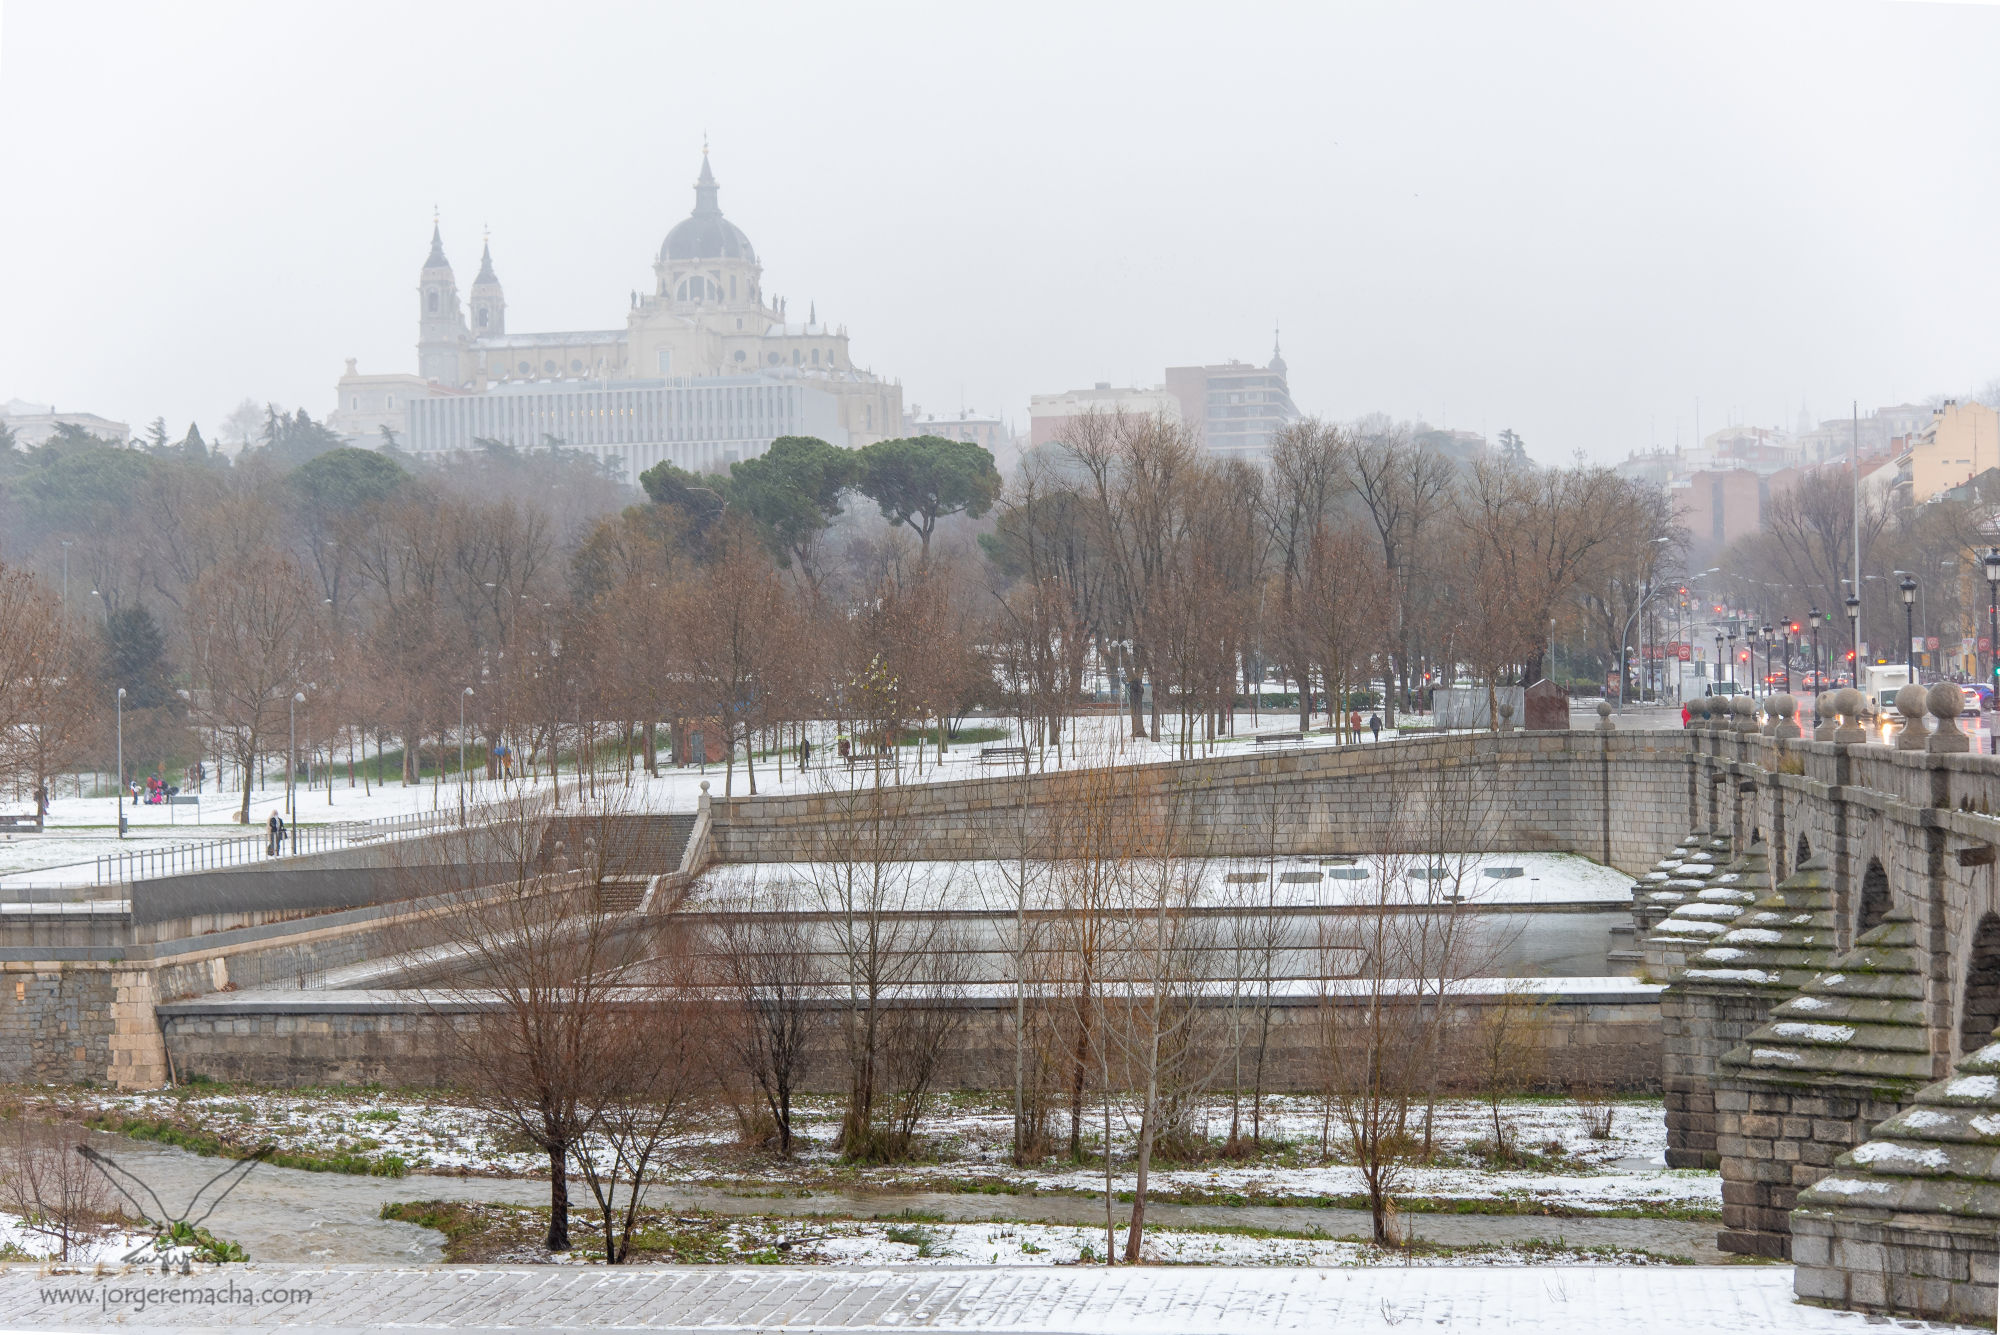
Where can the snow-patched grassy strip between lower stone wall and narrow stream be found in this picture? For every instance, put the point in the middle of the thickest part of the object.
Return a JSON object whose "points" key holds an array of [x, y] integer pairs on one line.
{"points": [[969, 1146]]}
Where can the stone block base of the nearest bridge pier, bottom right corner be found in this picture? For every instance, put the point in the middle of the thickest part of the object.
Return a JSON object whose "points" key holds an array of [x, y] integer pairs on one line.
{"points": [[1881, 1266]]}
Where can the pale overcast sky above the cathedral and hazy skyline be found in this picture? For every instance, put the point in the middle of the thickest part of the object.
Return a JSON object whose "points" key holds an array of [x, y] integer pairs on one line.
{"points": [[1567, 219]]}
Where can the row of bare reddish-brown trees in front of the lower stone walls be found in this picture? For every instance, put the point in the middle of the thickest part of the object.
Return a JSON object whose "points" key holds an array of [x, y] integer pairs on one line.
{"points": [[1131, 1002]]}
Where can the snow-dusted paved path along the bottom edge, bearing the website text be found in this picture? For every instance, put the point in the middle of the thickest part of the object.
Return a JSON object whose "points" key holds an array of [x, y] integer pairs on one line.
{"points": [[1073, 1300]]}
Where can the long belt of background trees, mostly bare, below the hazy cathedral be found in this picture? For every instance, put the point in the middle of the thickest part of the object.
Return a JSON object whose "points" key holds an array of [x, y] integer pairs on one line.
{"points": [[741, 607]]}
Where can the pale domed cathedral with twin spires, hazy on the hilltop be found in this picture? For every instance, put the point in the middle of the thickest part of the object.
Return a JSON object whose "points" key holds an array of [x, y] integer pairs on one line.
{"points": [[707, 369]]}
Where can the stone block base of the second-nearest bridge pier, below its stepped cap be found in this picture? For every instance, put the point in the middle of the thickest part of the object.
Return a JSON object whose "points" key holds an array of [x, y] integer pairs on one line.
{"points": [[1777, 1140]]}
